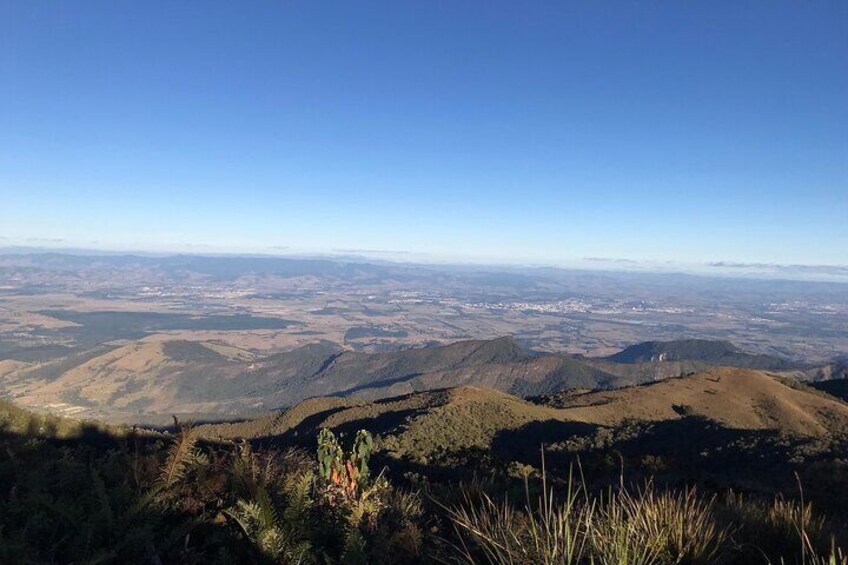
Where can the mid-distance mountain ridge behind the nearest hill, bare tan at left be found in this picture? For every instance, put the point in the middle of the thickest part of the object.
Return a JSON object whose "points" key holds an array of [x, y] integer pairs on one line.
{"points": [[205, 379]]}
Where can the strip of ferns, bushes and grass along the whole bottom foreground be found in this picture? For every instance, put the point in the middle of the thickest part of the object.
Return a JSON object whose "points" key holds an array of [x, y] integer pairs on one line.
{"points": [[90, 495]]}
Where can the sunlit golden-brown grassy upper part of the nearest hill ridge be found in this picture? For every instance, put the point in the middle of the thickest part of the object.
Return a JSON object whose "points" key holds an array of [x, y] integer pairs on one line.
{"points": [[426, 426]]}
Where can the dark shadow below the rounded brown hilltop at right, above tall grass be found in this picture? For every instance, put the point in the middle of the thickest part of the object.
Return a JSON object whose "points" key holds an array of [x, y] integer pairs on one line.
{"points": [[685, 451]]}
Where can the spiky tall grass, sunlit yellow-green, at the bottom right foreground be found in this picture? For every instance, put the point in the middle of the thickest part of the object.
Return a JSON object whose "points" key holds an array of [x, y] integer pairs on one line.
{"points": [[639, 526]]}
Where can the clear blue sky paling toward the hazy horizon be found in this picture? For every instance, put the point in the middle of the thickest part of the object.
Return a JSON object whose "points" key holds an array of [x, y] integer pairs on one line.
{"points": [[523, 131]]}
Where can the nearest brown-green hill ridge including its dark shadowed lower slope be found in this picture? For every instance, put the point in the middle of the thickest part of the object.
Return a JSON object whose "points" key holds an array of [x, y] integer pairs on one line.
{"points": [[438, 431]]}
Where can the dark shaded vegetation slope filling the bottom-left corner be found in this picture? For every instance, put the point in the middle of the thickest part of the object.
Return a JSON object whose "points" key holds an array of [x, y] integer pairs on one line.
{"points": [[86, 497]]}
